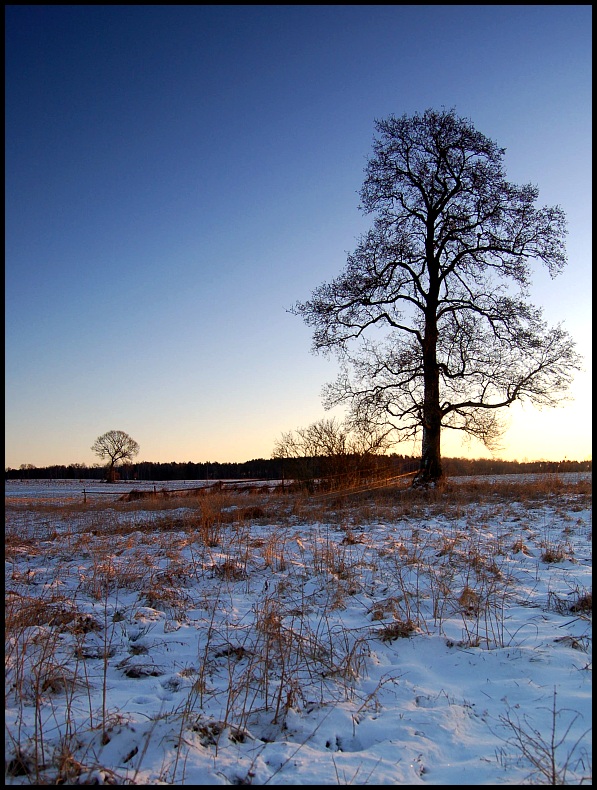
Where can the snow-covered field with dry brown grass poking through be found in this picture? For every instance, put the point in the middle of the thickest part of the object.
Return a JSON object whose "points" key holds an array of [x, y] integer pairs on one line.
{"points": [[252, 637]]}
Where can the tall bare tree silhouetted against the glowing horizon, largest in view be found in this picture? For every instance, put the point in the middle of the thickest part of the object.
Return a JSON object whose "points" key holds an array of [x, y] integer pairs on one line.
{"points": [[430, 317]]}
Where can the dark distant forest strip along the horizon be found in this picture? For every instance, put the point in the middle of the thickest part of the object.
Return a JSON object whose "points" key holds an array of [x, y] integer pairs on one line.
{"points": [[285, 469]]}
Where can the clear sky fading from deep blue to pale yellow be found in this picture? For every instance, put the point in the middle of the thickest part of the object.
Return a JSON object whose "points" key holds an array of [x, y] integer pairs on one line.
{"points": [[178, 176]]}
